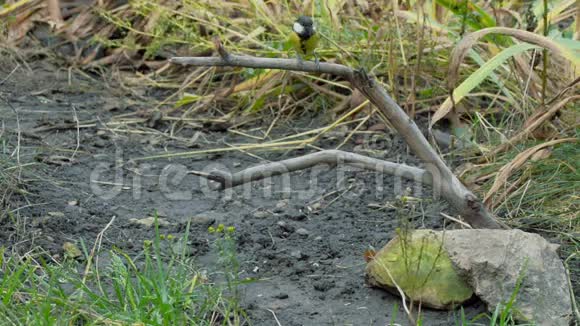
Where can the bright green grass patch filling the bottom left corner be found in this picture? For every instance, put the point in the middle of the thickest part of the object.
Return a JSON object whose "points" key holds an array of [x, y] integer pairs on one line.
{"points": [[146, 289]]}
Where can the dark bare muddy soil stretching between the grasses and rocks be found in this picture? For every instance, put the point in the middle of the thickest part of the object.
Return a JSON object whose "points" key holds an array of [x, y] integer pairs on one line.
{"points": [[304, 243]]}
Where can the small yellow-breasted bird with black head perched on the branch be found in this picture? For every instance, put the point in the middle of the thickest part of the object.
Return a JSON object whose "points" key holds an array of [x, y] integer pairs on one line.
{"points": [[304, 37]]}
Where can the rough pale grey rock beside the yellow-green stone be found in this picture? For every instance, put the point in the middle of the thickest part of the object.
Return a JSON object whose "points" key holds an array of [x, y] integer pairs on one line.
{"points": [[492, 261]]}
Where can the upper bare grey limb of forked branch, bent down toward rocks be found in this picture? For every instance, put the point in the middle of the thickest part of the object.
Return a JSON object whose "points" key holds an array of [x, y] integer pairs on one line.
{"points": [[465, 202]]}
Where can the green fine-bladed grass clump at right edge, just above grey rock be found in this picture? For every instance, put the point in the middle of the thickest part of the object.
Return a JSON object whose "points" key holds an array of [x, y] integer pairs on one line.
{"points": [[543, 193]]}
